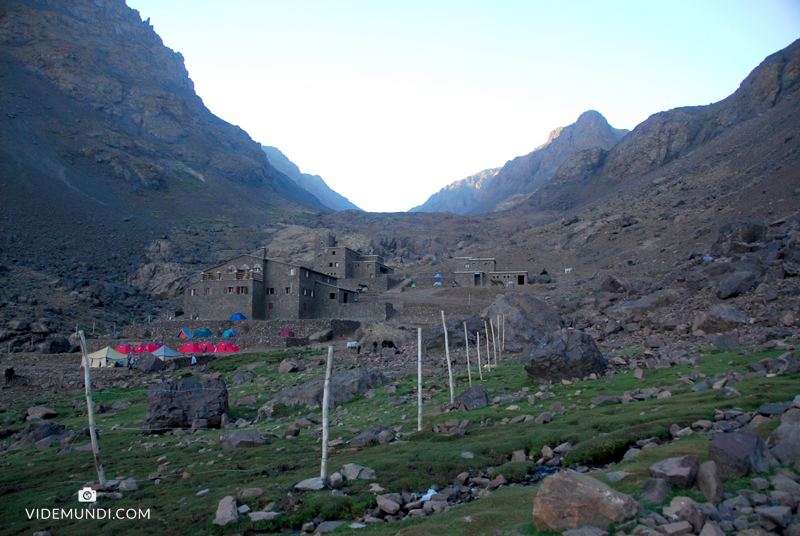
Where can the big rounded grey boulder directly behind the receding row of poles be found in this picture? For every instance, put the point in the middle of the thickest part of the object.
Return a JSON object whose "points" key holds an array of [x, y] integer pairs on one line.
{"points": [[527, 319]]}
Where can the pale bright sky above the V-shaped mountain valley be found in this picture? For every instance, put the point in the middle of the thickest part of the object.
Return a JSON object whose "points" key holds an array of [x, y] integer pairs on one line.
{"points": [[391, 101]]}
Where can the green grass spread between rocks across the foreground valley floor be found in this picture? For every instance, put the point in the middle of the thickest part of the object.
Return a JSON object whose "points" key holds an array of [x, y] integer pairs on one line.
{"points": [[42, 479]]}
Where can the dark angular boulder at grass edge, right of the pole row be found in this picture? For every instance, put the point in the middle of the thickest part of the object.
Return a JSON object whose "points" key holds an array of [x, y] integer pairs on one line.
{"points": [[564, 354]]}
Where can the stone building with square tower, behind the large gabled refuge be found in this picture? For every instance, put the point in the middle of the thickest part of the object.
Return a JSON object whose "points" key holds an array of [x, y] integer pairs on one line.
{"points": [[353, 270]]}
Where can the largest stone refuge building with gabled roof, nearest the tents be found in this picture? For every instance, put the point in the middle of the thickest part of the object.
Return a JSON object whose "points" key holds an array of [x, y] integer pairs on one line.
{"points": [[265, 289]]}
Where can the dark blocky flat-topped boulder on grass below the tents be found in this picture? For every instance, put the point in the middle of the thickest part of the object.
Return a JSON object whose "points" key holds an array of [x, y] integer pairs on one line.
{"points": [[179, 404]]}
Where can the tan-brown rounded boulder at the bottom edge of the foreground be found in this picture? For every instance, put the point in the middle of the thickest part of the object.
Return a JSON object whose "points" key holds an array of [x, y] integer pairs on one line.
{"points": [[569, 500]]}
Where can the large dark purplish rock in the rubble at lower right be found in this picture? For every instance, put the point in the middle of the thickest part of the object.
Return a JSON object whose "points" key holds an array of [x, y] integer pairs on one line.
{"points": [[739, 452]]}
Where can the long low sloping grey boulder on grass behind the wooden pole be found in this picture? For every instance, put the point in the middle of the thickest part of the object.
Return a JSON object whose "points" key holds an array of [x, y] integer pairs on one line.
{"points": [[345, 386]]}
